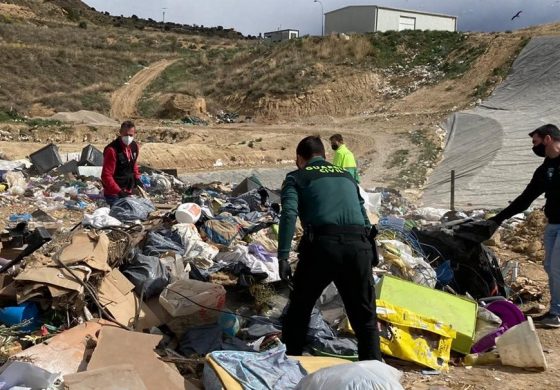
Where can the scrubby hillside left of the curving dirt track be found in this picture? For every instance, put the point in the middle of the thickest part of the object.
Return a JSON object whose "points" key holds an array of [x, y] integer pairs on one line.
{"points": [[63, 56]]}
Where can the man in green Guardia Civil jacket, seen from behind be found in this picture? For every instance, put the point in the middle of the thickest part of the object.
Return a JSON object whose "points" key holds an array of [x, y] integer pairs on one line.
{"points": [[336, 247]]}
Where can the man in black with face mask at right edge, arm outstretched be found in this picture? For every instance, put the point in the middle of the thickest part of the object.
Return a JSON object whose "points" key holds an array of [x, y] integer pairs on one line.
{"points": [[546, 179]]}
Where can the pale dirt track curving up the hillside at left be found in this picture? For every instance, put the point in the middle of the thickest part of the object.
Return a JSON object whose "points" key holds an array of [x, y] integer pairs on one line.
{"points": [[124, 99]]}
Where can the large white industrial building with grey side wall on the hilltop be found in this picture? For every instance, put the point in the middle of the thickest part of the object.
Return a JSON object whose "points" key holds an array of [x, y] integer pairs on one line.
{"points": [[372, 18]]}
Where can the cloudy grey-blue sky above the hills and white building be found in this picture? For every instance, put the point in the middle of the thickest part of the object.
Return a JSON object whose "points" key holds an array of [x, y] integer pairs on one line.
{"points": [[252, 17]]}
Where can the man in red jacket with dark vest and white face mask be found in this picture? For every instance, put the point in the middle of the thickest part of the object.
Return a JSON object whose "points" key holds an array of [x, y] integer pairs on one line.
{"points": [[120, 172]]}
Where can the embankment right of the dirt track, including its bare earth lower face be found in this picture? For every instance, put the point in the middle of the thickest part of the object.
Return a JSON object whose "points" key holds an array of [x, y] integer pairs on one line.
{"points": [[335, 75]]}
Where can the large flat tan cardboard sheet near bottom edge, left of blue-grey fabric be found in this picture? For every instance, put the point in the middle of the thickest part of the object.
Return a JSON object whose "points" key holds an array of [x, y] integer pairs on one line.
{"points": [[118, 346]]}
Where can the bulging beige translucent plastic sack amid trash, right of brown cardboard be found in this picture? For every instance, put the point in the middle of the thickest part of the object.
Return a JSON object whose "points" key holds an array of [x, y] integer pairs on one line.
{"points": [[199, 293]]}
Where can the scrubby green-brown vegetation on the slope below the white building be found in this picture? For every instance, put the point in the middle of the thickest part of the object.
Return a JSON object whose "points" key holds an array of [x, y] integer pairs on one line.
{"points": [[236, 78]]}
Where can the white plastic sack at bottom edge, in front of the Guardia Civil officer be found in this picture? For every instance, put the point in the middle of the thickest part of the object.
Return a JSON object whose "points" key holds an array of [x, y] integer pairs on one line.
{"points": [[364, 375]]}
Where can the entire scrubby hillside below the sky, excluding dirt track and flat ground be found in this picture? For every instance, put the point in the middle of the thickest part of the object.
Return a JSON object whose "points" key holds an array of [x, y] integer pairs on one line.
{"points": [[64, 56]]}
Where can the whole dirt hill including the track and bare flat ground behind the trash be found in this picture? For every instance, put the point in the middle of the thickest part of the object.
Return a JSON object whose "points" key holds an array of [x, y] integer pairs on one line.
{"points": [[386, 93]]}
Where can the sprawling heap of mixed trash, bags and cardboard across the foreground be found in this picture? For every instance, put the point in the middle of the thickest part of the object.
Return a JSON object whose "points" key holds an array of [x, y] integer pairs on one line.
{"points": [[181, 288]]}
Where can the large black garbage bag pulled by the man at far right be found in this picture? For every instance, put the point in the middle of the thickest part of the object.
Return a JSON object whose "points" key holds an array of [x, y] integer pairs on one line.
{"points": [[475, 267]]}
